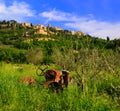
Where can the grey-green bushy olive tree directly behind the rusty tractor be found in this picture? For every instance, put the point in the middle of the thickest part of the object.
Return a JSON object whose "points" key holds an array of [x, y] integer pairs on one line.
{"points": [[64, 59]]}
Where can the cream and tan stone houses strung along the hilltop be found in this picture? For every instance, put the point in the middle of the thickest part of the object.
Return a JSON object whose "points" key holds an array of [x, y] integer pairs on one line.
{"points": [[41, 29]]}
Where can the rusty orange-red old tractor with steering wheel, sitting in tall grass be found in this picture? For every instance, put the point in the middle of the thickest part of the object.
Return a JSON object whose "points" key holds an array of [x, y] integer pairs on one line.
{"points": [[55, 80]]}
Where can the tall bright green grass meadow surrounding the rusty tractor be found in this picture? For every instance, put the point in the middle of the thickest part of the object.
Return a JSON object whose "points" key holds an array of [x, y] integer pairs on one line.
{"points": [[101, 94]]}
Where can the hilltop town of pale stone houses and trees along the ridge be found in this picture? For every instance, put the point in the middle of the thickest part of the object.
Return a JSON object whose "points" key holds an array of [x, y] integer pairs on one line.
{"points": [[38, 28]]}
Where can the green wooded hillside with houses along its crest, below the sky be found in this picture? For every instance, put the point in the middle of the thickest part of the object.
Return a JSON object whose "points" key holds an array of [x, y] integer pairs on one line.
{"points": [[17, 40]]}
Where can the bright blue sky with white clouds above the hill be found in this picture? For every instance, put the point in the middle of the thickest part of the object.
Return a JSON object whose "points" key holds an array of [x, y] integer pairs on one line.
{"points": [[100, 18]]}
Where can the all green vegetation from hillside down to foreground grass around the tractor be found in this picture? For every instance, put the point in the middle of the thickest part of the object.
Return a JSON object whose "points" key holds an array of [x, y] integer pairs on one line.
{"points": [[95, 61]]}
